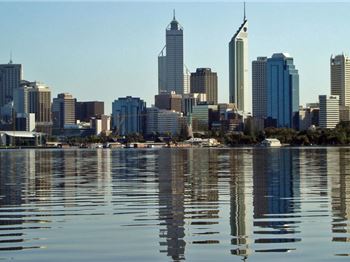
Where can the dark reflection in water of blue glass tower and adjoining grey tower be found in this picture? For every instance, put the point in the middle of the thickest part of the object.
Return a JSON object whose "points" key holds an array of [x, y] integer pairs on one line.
{"points": [[276, 193]]}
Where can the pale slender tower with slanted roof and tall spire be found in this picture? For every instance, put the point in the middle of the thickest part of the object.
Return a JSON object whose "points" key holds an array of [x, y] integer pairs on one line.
{"points": [[238, 67]]}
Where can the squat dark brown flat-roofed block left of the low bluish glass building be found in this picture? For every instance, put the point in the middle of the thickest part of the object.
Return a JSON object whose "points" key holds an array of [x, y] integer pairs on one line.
{"points": [[85, 110]]}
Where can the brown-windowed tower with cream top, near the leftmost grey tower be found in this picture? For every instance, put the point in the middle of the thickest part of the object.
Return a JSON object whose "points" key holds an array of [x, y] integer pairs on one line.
{"points": [[40, 104]]}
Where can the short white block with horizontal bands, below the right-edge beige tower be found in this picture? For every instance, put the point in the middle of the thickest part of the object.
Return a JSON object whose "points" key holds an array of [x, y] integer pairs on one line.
{"points": [[329, 111]]}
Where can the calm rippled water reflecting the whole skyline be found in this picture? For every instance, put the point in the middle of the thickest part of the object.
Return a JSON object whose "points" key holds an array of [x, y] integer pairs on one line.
{"points": [[175, 204]]}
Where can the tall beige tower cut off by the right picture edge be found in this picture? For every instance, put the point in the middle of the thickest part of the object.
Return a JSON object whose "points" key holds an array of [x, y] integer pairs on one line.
{"points": [[340, 78]]}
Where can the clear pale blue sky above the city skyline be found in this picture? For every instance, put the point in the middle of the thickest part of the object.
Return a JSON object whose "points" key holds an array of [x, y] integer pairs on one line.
{"points": [[102, 51]]}
